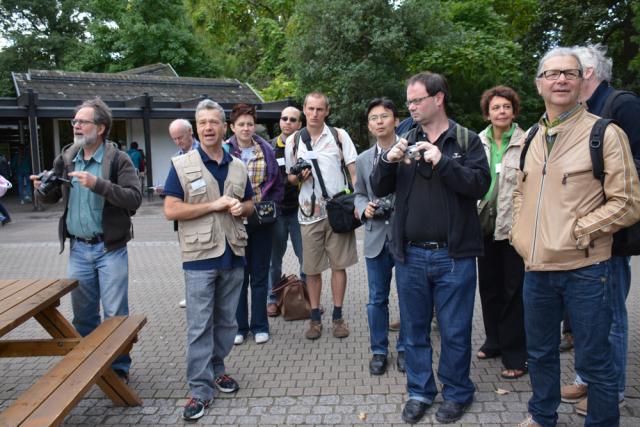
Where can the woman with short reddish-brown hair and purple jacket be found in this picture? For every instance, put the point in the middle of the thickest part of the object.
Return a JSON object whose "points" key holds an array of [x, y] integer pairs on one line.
{"points": [[258, 156]]}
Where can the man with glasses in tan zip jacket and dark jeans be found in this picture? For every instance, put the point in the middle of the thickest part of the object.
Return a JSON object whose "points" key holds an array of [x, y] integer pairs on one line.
{"points": [[563, 222]]}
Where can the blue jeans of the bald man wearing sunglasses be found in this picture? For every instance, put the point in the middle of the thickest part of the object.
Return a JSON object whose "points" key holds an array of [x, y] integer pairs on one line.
{"points": [[286, 225]]}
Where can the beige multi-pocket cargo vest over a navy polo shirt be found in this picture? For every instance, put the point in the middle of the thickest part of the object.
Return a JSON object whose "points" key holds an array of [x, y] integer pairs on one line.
{"points": [[204, 237]]}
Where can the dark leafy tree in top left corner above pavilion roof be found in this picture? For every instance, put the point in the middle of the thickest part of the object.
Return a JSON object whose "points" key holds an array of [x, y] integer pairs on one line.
{"points": [[45, 34]]}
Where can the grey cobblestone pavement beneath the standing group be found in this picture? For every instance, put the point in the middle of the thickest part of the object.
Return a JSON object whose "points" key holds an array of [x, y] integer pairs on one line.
{"points": [[287, 381]]}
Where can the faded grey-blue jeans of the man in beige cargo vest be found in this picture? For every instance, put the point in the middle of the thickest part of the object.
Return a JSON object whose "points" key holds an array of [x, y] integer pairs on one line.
{"points": [[212, 297]]}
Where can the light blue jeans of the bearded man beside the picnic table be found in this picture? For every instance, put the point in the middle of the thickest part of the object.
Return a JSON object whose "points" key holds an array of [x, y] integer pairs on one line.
{"points": [[102, 276]]}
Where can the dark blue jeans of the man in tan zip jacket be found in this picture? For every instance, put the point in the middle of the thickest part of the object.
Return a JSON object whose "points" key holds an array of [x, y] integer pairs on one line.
{"points": [[587, 295]]}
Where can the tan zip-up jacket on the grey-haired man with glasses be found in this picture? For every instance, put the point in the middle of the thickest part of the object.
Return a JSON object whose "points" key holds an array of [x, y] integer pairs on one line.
{"points": [[562, 218]]}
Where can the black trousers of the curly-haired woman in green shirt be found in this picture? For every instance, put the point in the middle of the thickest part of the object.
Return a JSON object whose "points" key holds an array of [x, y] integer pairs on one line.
{"points": [[500, 278]]}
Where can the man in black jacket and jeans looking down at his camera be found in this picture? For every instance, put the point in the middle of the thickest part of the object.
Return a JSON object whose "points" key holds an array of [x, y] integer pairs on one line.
{"points": [[438, 175]]}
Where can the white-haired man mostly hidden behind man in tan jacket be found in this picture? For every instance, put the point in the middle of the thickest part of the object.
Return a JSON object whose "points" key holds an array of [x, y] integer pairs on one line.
{"points": [[624, 107]]}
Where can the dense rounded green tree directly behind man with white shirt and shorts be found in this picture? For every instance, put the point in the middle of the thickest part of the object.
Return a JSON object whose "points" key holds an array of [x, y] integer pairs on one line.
{"points": [[352, 51]]}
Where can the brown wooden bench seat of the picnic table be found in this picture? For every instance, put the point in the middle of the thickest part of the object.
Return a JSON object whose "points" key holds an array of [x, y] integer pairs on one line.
{"points": [[53, 396]]}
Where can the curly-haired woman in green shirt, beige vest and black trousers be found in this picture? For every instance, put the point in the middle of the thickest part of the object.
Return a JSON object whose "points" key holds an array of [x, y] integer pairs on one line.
{"points": [[501, 270]]}
